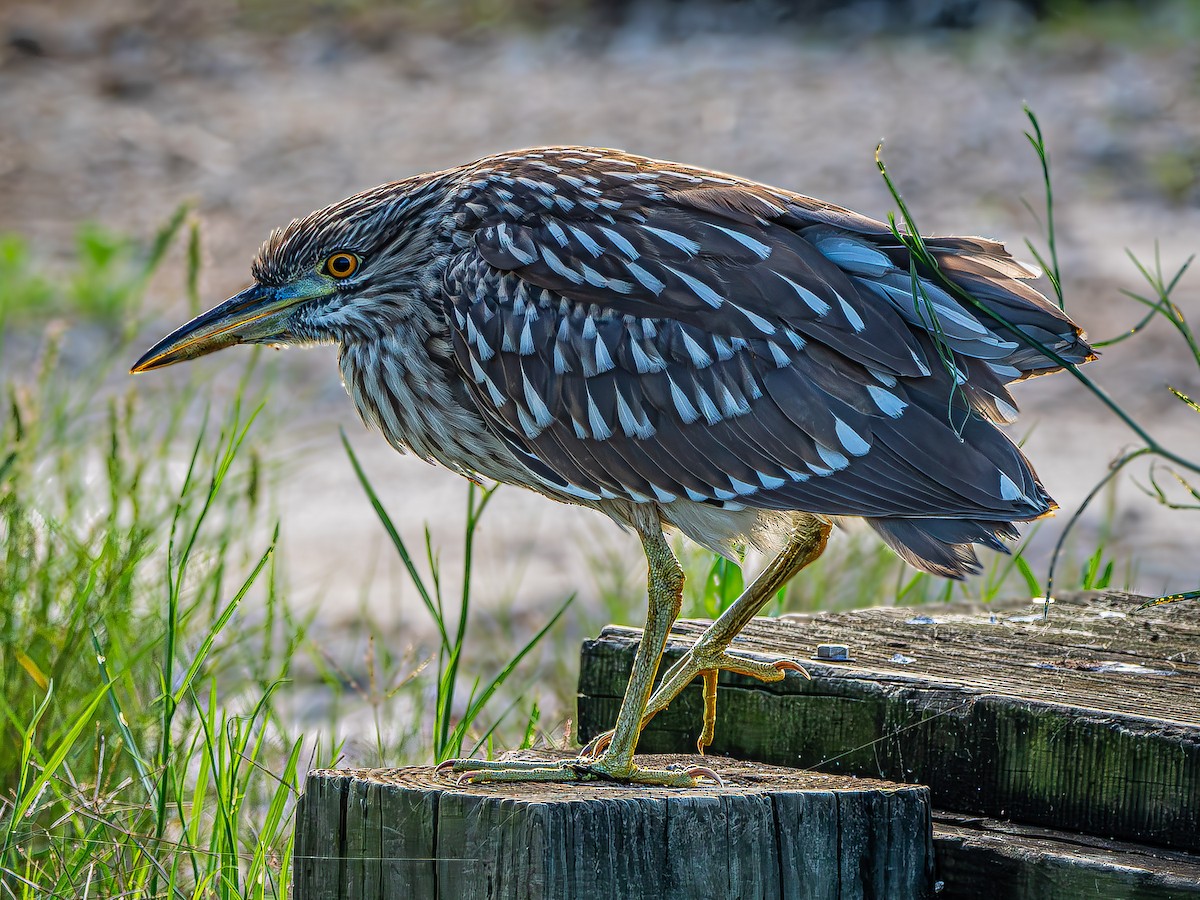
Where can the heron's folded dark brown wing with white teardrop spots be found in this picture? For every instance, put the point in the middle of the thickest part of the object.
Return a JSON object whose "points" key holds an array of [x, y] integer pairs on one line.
{"points": [[629, 345]]}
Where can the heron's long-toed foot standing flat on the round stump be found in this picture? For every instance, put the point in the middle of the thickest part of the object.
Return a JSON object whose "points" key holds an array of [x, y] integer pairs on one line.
{"points": [[583, 769]]}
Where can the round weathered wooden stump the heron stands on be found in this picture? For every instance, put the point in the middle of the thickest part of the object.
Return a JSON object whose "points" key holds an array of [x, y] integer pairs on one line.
{"points": [[770, 832]]}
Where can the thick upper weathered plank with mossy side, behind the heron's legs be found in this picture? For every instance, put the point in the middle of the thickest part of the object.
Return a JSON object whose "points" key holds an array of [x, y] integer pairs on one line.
{"points": [[1089, 722]]}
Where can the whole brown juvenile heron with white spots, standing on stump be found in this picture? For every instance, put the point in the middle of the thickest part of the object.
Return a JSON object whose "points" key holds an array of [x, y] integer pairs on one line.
{"points": [[674, 347]]}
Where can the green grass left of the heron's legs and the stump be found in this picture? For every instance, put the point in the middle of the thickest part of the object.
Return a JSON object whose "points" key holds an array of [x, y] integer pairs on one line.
{"points": [[146, 634]]}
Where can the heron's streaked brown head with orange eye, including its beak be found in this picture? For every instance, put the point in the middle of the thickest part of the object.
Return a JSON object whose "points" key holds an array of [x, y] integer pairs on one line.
{"points": [[337, 275]]}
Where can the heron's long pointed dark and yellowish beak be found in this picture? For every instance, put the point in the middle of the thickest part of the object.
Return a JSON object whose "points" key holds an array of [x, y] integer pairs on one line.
{"points": [[254, 316]]}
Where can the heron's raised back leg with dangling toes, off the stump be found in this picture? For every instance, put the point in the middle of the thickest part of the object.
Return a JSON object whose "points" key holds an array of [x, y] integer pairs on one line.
{"points": [[710, 655]]}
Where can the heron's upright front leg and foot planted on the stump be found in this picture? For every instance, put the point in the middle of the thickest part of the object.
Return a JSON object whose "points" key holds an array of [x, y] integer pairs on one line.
{"points": [[616, 763]]}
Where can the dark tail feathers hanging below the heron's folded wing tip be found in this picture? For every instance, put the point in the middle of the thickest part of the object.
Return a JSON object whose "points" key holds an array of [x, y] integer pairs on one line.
{"points": [[943, 547]]}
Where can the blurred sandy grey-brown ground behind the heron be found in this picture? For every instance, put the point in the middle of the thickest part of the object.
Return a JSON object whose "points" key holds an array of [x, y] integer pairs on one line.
{"points": [[260, 112]]}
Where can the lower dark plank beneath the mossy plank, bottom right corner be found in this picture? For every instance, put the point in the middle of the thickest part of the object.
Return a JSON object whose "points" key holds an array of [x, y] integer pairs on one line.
{"points": [[979, 857]]}
